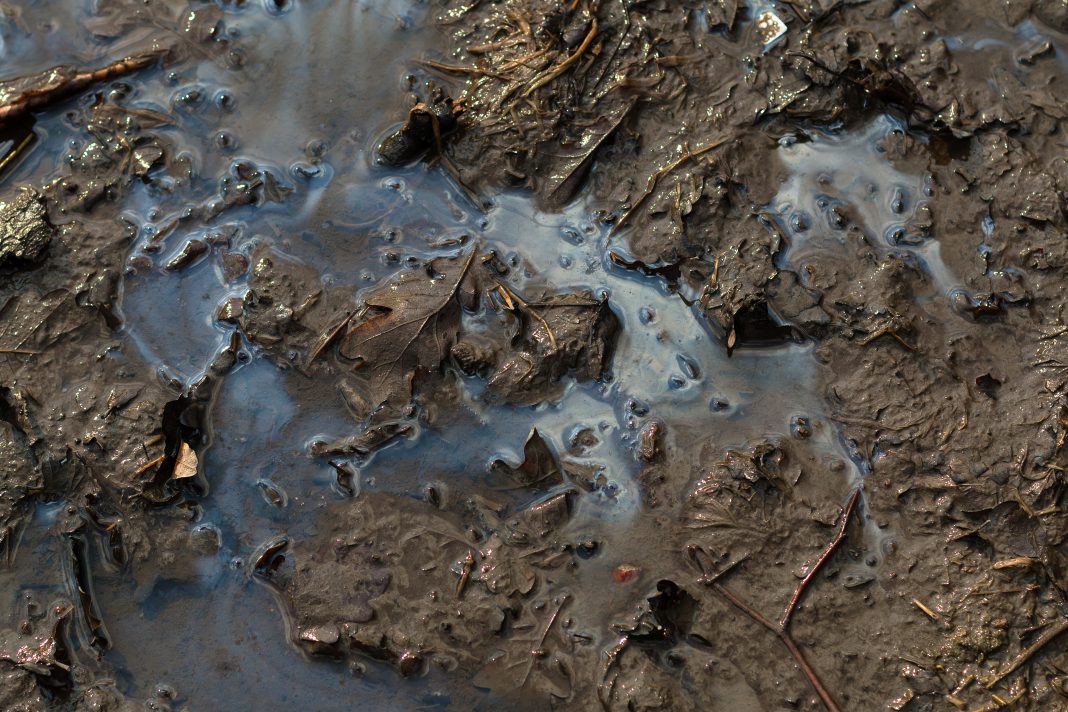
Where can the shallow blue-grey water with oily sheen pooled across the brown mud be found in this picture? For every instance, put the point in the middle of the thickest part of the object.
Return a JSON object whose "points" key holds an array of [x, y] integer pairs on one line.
{"points": [[201, 625]]}
